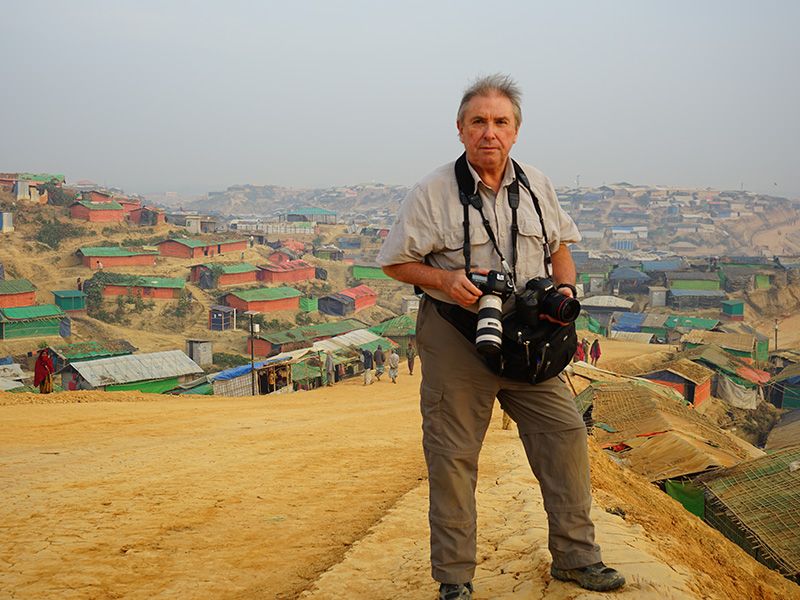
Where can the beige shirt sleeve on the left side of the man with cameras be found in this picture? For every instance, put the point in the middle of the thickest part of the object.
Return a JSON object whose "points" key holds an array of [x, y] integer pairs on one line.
{"points": [[414, 234]]}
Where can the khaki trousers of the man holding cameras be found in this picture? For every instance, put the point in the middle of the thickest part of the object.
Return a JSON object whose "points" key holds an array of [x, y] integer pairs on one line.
{"points": [[457, 397]]}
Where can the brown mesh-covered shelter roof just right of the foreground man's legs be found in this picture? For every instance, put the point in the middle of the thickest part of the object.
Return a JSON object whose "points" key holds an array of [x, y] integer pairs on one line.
{"points": [[650, 428]]}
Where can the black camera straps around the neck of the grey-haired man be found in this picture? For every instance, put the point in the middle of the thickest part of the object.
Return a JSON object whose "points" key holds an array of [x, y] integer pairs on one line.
{"points": [[469, 196]]}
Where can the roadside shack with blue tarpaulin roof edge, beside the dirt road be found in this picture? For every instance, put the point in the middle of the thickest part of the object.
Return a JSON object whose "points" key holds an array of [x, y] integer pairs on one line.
{"points": [[270, 376]]}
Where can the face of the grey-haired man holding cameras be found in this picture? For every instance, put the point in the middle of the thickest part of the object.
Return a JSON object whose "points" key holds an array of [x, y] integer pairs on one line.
{"points": [[488, 130]]}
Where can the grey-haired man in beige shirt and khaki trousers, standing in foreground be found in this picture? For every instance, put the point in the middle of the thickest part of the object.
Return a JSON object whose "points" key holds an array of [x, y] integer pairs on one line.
{"points": [[426, 248]]}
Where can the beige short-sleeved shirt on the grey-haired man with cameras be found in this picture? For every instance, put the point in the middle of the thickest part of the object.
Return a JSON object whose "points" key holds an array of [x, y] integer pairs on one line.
{"points": [[429, 227]]}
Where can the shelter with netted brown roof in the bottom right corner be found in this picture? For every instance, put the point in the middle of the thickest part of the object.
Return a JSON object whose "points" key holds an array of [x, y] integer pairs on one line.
{"points": [[756, 504]]}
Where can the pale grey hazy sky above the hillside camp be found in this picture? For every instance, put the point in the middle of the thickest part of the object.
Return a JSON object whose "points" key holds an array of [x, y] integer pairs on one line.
{"points": [[196, 96]]}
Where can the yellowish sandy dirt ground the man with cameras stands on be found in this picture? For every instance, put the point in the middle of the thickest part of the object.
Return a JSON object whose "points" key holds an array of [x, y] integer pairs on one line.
{"points": [[315, 494]]}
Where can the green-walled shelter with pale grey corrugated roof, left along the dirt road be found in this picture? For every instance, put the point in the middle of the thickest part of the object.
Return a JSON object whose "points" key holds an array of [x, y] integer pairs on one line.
{"points": [[155, 372]]}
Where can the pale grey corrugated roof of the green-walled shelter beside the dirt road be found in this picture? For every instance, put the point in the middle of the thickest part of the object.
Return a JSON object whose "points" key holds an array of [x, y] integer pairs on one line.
{"points": [[136, 367]]}
